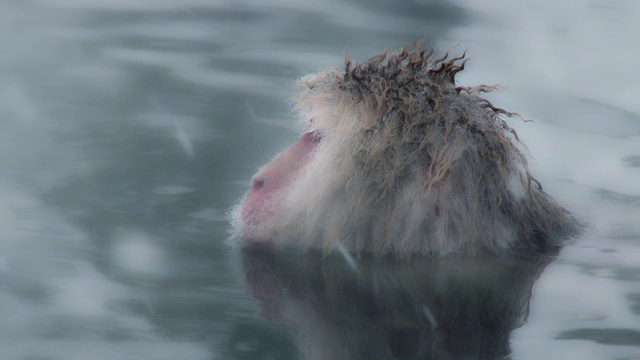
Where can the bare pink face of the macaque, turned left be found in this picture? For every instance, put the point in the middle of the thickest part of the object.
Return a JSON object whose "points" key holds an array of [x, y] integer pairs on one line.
{"points": [[268, 187]]}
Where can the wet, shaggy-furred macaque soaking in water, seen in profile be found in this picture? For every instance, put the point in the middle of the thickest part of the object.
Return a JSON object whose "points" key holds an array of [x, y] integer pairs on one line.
{"points": [[396, 158]]}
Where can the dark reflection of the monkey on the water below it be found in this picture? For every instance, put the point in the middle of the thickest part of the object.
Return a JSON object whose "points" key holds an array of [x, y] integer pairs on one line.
{"points": [[423, 308]]}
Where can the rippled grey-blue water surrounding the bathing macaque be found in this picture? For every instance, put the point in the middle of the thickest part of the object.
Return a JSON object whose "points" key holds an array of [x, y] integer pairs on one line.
{"points": [[129, 128]]}
